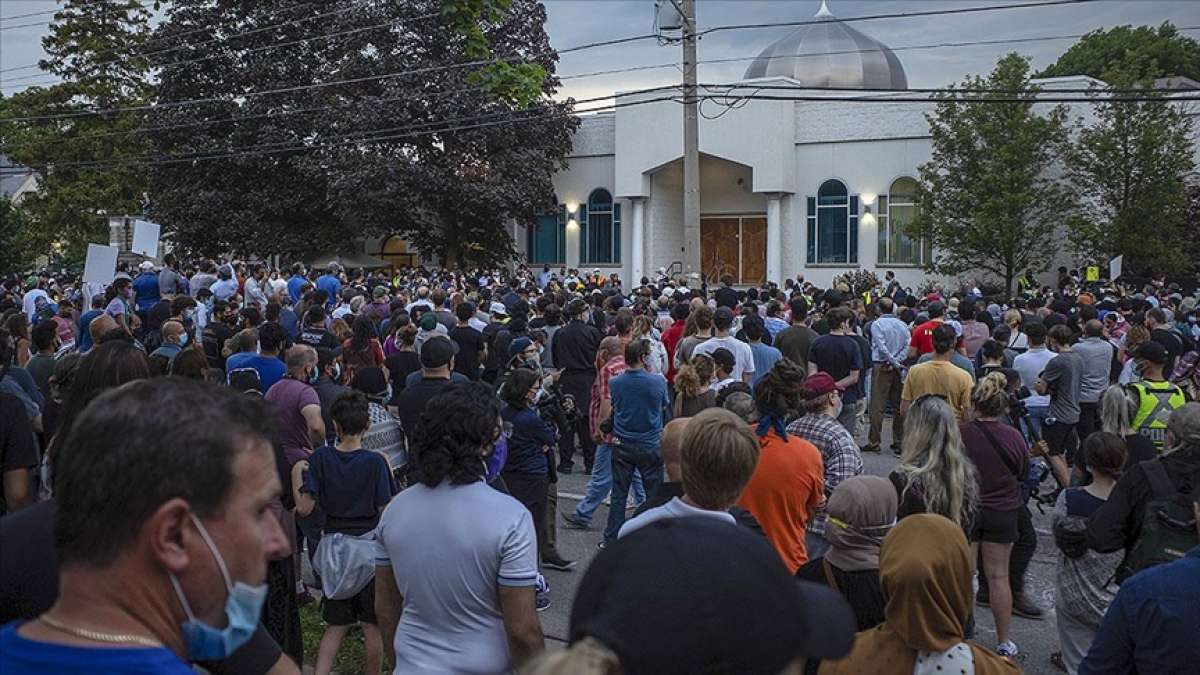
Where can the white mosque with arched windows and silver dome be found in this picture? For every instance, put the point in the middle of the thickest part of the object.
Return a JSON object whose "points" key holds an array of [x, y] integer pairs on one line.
{"points": [[814, 188]]}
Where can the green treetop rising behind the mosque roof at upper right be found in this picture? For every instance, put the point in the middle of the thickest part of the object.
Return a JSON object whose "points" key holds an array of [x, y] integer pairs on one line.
{"points": [[1160, 53]]}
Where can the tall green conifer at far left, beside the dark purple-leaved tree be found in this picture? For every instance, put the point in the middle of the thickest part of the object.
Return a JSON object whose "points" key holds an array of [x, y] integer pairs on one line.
{"points": [[94, 47]]}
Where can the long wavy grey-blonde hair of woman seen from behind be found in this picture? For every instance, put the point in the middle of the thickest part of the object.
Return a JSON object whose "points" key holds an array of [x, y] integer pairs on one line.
{"points": [[934, 461]]}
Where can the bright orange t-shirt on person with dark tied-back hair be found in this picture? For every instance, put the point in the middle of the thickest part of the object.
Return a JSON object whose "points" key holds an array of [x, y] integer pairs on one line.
{"points": [[785, 491]]}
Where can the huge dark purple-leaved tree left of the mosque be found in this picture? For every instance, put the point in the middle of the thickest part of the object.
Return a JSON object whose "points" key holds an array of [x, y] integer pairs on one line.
{"points": [[443, 151]]}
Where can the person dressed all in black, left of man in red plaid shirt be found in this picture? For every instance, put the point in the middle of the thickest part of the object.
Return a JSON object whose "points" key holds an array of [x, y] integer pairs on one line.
{"points": [[574, 350]]}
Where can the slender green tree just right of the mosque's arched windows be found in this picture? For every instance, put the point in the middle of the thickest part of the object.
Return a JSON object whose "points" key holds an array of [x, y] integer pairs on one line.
{"points": [[988, 200]]}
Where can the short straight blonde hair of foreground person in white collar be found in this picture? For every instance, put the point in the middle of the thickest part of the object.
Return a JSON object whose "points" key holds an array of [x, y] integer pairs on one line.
{"points": [[719, 456]]}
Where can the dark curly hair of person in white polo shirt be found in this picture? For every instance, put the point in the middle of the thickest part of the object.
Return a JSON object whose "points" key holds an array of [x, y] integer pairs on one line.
{"points": [[452, 434]]}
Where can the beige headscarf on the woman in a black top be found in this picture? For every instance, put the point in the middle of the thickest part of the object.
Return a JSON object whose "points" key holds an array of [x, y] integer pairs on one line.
{"points": [[862, 512]]}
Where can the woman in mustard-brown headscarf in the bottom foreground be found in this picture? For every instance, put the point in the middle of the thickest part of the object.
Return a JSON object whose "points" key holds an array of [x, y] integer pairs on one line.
{"points": [[926, 575]]}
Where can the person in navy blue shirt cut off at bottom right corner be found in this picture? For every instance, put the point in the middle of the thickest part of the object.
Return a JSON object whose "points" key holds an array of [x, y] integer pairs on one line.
{"points": [[1154, 625]]}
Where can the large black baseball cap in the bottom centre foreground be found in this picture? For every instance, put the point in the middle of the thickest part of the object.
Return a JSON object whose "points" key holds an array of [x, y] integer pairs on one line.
{"points": [[661, 578]]}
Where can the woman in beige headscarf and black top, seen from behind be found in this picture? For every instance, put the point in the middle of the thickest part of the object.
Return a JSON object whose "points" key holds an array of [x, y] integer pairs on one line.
{"points": [[861, 513]]}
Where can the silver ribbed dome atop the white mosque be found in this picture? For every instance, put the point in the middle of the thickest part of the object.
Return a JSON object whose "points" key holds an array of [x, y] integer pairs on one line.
{"points": [[831, 53]]}
